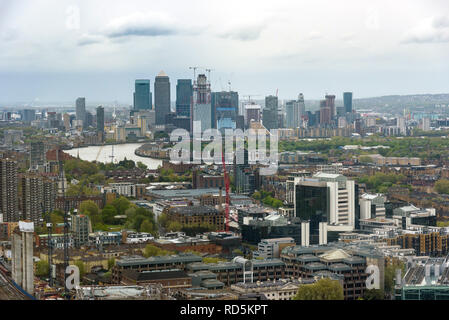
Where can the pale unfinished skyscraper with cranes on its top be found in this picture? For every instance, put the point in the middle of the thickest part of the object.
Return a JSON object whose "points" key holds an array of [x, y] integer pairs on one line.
{"points": [[201, 105]]}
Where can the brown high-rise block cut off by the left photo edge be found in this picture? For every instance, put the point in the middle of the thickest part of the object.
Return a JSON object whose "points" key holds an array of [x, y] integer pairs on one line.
{"points": [[8, 190]]}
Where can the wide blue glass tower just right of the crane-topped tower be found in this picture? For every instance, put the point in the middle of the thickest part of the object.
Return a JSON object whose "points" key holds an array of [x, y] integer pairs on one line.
{"points": [[225, 108]]}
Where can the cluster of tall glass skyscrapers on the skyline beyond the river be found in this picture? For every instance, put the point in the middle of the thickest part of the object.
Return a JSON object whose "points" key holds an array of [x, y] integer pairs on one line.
{"points": [[195, 101]]}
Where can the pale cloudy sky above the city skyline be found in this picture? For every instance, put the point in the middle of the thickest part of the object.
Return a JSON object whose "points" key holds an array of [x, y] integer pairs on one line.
{"points": [[59, 50]]}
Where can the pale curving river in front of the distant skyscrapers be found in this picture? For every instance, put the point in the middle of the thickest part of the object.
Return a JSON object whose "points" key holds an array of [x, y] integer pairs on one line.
{"points": [[103, 153]]}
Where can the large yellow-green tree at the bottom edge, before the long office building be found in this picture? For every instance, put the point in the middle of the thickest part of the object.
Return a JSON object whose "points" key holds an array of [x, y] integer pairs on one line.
{"points": [[323, 289]]}
